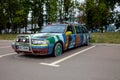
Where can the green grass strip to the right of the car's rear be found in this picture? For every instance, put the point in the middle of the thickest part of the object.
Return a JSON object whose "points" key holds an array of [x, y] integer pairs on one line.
{"points": [[108, 37]]}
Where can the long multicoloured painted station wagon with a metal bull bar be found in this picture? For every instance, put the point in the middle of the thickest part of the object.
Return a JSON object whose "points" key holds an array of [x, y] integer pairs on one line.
{"points": [[52, 40]]}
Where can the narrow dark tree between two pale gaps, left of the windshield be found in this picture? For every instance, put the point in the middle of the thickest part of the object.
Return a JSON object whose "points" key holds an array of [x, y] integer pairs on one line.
{"points": [[37, 13]]}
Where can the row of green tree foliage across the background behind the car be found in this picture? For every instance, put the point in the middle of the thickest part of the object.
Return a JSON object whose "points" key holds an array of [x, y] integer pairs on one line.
{"points": [[14, 13]]}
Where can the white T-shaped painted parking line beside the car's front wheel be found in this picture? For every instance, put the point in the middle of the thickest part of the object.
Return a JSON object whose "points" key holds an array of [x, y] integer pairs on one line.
{"points": [[54, 64]]}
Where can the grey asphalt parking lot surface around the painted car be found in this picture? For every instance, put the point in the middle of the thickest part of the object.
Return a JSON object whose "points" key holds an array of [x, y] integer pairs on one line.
{"points": [[94, 62]]}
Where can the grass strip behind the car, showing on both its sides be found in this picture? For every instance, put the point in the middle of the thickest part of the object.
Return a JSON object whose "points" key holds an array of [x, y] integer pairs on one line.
{"points": [[109, 37]]}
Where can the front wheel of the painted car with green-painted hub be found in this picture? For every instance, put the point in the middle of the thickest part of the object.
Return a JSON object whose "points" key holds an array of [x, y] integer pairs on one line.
{"points": [[57, 50]]}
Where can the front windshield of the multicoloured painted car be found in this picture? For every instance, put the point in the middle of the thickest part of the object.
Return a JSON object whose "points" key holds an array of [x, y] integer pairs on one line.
{"points": [[53, 29]]}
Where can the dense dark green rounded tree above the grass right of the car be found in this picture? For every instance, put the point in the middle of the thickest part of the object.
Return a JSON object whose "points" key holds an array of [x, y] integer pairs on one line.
{"points": [[97, 13]]}
